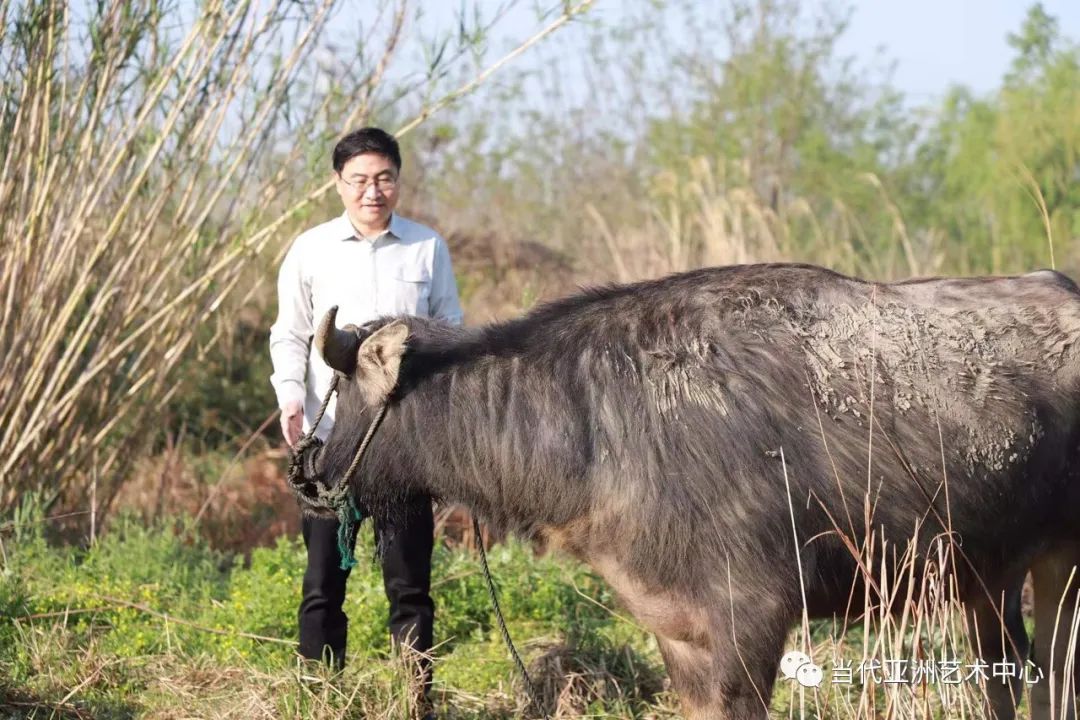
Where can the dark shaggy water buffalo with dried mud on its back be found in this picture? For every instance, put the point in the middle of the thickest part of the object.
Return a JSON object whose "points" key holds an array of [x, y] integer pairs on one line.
{"points": [[680, 434]]}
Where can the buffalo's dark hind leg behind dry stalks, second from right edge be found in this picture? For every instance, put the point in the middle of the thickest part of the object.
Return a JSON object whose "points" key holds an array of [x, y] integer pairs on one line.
{"points": [[1000, 637]]}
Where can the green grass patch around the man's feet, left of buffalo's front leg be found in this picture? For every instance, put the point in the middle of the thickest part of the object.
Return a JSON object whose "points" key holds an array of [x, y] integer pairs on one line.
{"points": [[151, 620]]}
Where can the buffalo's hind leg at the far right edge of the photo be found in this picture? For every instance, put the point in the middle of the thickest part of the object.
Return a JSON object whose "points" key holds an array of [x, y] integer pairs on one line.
{"points": [[1056, 597]]}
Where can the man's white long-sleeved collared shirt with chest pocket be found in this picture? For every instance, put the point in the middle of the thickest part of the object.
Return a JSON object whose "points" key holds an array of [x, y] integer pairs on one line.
{"points": [[404, 271]]}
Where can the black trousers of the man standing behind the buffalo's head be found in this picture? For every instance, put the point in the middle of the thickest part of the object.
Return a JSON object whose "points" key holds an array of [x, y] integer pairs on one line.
{"points": [[407, 577]]}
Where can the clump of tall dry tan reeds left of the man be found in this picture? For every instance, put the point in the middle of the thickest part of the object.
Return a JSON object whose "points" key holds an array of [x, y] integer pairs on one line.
{"points": [[148, 152]]}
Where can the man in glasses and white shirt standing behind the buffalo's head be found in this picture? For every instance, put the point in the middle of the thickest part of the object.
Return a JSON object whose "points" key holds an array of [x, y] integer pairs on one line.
{"points": [[370, 263]]}
